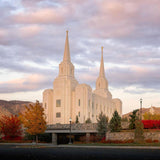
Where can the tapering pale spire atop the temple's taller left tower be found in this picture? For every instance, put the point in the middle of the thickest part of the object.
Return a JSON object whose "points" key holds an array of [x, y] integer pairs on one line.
{"points": [[66, 56]]}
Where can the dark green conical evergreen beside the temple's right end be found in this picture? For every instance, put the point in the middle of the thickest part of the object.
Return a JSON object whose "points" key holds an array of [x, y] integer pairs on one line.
{"points": [[115, 122]]}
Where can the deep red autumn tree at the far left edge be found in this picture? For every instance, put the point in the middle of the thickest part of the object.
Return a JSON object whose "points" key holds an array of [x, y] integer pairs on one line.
{"points": [[10, 127]]}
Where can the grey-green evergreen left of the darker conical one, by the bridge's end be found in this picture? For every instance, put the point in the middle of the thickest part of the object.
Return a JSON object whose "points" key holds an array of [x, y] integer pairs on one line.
{"points": [[102, 122]]}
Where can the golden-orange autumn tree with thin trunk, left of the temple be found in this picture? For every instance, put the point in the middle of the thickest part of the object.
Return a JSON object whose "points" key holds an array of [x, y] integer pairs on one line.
{"points": [[33, 120]]}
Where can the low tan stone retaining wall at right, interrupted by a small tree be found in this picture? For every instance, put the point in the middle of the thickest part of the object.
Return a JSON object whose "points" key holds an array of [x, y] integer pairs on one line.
{"points": [[124, 136]]}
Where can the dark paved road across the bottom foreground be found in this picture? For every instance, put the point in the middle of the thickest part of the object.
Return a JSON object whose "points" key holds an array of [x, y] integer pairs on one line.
{"points": [[12, 152]]}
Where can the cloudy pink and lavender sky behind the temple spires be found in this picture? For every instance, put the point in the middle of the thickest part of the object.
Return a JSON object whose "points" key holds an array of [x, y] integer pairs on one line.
{"points": [[32, 37]]}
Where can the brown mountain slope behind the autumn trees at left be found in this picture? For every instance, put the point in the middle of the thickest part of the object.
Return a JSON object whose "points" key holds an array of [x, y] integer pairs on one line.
{"points": [[12, 107]]}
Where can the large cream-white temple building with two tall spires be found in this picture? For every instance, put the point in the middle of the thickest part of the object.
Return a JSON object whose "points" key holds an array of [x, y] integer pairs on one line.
{"points": [[69, 99]]}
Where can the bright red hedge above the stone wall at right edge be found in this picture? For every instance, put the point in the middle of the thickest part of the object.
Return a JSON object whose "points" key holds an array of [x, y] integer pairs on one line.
{"points": [[151, 124]]}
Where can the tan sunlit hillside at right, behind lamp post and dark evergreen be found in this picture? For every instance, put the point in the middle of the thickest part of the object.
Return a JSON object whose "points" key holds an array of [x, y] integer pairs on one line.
{"points": [[152, 110]]}
